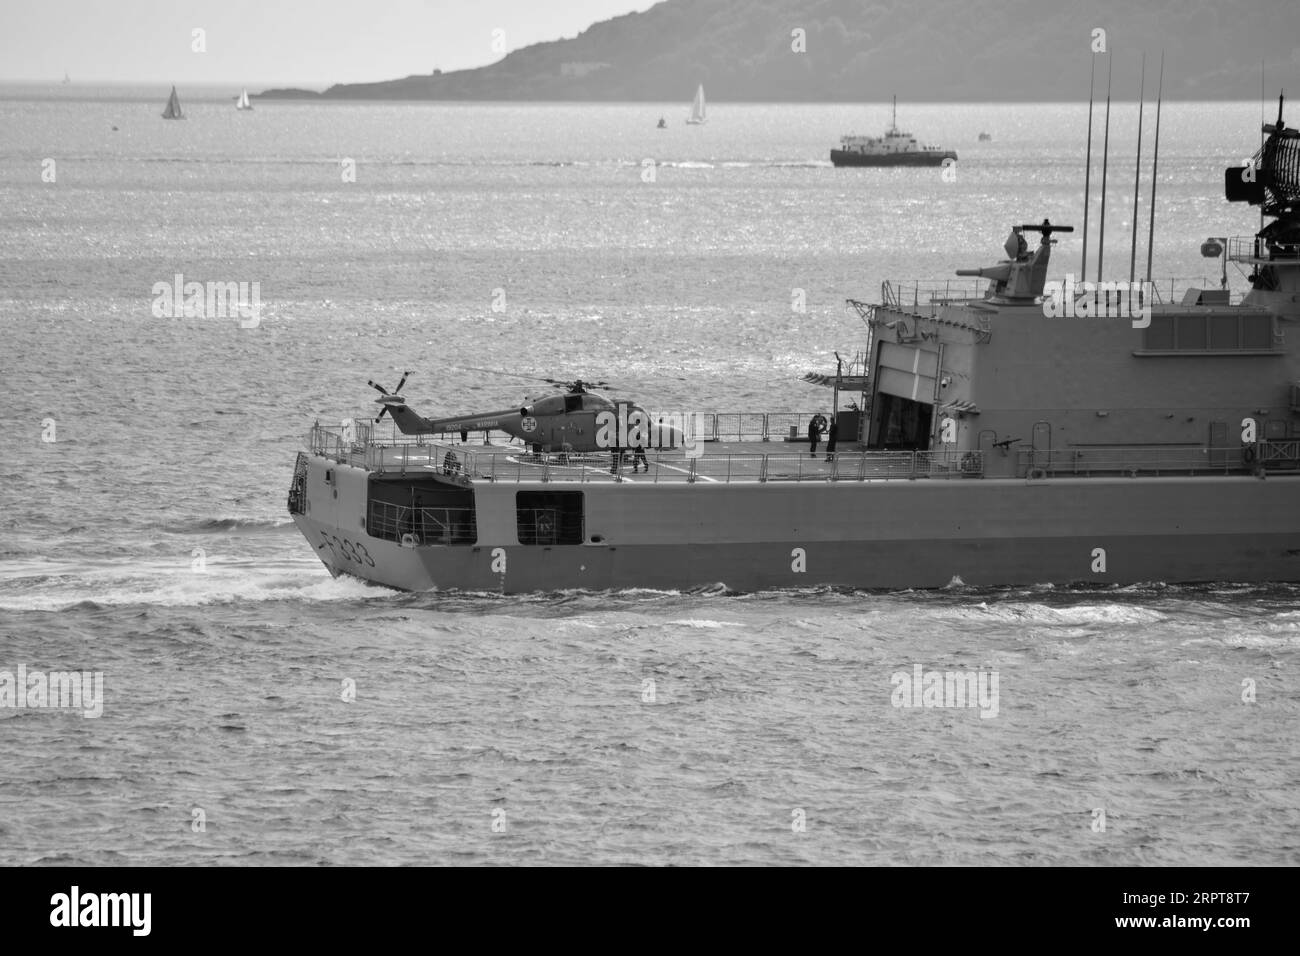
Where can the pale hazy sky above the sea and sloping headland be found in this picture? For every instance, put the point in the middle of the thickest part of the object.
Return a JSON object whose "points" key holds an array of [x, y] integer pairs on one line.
{"points": [[276, 42]]}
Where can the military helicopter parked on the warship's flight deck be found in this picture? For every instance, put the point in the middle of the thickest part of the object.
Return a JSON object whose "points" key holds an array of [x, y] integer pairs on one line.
{"points": [[575, 421]]}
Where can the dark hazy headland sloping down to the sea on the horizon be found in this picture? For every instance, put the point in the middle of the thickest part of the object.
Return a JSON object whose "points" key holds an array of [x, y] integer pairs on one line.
{"points": [[826, 51]]}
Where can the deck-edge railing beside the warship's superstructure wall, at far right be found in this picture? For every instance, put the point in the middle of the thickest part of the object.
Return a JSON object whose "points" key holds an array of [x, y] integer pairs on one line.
{"points": [[1159, 461]]}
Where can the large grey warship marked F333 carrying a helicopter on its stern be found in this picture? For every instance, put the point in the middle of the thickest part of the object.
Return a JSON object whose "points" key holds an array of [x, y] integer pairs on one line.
{"points": [[1016, 434]]}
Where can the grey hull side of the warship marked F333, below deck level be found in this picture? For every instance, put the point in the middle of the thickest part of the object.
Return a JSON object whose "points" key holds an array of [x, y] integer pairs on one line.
{"points": [[877, 534]]}
